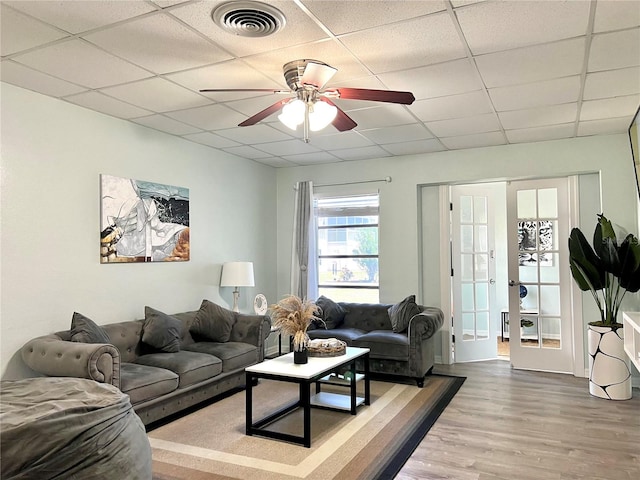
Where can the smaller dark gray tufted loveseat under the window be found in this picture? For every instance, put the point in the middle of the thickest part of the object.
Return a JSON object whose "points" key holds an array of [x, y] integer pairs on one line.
{"points": [[400, 336]]}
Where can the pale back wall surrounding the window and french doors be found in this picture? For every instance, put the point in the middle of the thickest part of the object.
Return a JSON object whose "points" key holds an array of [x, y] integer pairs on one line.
{"points": [[401, 208]]}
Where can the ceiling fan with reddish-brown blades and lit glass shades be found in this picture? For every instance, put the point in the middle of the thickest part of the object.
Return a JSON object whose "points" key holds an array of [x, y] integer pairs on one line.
{"points": [[312, 106]]}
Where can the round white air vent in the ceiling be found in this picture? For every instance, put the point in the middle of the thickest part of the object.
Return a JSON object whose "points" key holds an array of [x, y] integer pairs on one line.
{"points": [[249, 19]]}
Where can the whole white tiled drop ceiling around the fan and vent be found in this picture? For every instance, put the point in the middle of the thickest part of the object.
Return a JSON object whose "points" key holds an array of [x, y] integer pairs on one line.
{"points": [[483, 72]]}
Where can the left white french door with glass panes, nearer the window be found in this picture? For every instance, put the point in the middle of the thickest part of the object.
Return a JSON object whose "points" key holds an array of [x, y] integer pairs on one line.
{"points": [[473, 280]]}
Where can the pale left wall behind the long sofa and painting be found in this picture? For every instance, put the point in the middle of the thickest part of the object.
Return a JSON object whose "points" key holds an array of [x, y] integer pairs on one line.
{"points": [[52, 156]]}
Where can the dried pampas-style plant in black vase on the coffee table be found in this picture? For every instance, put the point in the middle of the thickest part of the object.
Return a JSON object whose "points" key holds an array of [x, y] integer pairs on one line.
{"points": [[293, 316]]}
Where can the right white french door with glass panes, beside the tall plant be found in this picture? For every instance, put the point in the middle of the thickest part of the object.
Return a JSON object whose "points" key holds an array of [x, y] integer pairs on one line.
{"points": [[539, 319]]}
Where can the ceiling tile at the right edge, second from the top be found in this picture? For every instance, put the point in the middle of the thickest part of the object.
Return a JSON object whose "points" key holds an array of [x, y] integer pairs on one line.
{"points": [[615, 50]]}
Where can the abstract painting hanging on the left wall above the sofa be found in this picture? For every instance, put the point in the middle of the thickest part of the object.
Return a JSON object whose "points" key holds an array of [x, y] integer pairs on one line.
{"points": [[143, 221]]}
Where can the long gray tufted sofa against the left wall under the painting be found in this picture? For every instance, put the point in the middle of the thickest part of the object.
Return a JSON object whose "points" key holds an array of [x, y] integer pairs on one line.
{"points": [[165, 363]]}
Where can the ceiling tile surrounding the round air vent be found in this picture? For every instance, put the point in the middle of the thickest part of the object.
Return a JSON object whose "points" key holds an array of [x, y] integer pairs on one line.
{"points": [[299, 29]]}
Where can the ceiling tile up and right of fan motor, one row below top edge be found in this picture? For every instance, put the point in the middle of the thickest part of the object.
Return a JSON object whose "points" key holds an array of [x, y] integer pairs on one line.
{"points": [[408, 44]]}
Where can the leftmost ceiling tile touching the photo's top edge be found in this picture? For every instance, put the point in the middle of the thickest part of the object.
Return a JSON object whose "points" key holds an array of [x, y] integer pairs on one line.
{"points": [[80, 16]]}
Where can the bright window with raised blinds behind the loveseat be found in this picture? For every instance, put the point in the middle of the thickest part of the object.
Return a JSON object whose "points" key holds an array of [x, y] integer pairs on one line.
{"points": [[348, 248]]}
